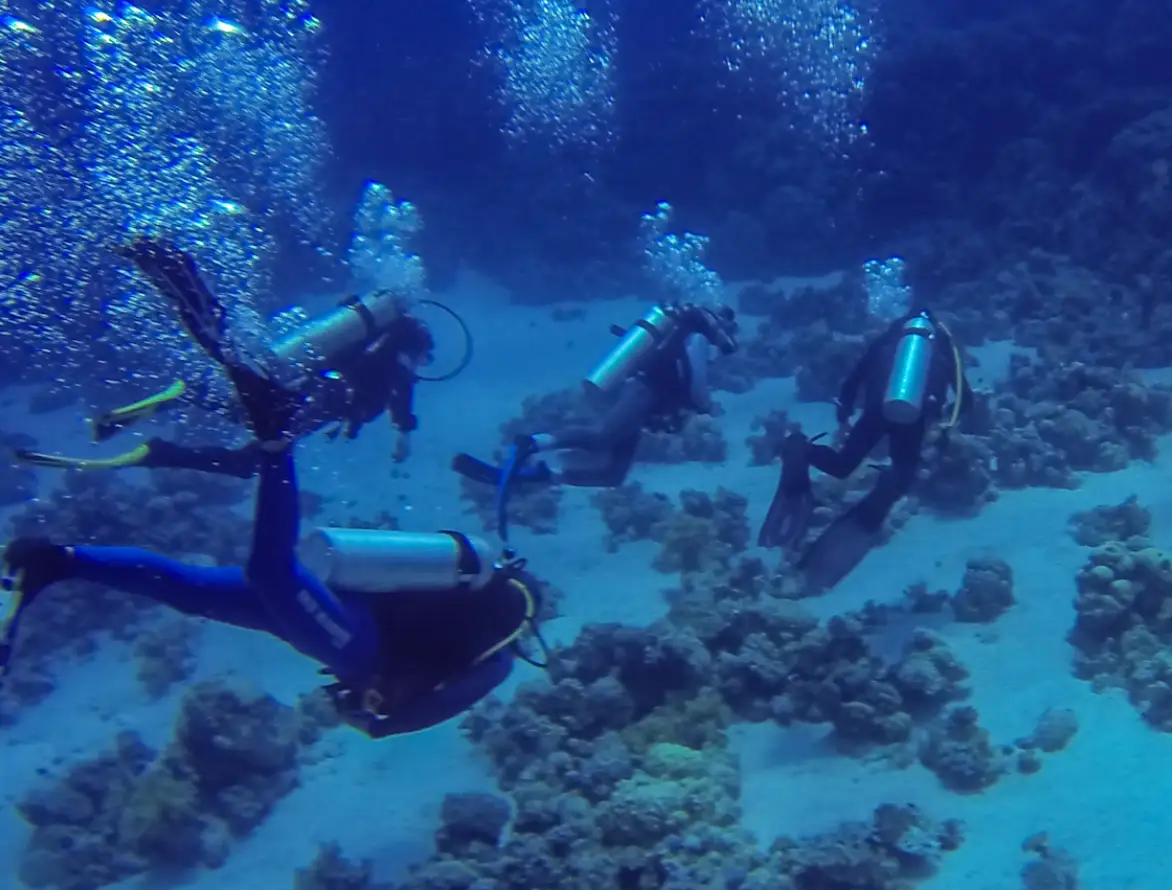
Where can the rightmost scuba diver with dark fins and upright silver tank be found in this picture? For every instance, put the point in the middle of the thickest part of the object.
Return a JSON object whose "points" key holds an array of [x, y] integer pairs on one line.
{"points": [[905, 376]]}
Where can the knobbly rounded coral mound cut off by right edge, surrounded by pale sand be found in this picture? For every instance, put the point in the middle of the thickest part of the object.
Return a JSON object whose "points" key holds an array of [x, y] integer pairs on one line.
{"points": [[1125, 626]]}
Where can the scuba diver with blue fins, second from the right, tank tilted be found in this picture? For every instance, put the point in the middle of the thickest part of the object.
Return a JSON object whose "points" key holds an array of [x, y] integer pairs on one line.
{"points": [[655, 379]]}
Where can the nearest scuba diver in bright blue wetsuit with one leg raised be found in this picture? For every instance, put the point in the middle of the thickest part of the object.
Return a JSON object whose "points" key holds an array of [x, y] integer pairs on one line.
{"points": [[415, 628]]}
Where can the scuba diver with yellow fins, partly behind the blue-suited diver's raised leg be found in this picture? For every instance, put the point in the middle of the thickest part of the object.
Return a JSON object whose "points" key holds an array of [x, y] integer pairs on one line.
{"points": [[353, 364]]}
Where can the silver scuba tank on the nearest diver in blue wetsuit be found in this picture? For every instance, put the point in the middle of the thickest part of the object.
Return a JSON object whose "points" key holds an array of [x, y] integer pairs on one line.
{"points": [[373, 561]]}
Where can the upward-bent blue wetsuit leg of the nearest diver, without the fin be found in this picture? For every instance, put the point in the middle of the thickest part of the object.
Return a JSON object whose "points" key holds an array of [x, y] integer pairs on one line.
{"points": [[308, 614]]}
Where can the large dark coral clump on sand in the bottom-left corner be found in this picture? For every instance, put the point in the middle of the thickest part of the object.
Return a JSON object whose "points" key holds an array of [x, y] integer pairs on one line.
{"points": [[234, 756]]}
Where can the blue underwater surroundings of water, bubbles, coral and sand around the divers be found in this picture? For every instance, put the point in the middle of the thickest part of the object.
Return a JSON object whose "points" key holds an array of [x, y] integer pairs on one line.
{"points": [[984, 703]]}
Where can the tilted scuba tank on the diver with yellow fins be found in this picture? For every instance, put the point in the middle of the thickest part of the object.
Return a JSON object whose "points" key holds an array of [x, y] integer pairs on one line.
{"points": [[355, 322]]}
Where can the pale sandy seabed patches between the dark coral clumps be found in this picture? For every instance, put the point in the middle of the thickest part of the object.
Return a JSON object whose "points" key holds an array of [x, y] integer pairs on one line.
{"points": [[1105, 798]]}
